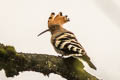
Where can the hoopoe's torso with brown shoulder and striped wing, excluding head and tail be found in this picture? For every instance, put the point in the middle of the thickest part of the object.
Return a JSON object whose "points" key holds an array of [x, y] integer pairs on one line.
{"points": [[66, 41]]}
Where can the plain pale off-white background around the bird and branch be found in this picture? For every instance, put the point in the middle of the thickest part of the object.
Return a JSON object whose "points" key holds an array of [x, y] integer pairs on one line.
{"points": [[96, 24]]}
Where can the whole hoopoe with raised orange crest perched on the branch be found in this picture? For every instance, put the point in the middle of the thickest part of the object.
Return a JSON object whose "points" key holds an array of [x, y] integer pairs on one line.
{"points": [[64, 41]]}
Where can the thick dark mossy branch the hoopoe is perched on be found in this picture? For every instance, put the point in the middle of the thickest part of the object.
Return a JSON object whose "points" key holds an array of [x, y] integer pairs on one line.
{"points": [[13, 63]]}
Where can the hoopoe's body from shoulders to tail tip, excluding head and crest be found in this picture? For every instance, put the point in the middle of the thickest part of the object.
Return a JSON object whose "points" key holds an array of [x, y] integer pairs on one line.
{"points": [[66, 44]]}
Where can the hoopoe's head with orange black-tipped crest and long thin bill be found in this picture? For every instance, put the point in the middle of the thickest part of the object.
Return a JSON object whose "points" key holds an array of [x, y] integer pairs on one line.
{"points": [[55, 22]]}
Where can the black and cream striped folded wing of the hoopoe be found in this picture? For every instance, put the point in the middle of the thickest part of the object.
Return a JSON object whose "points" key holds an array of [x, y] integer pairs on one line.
{"points": [[68, 44]]}
